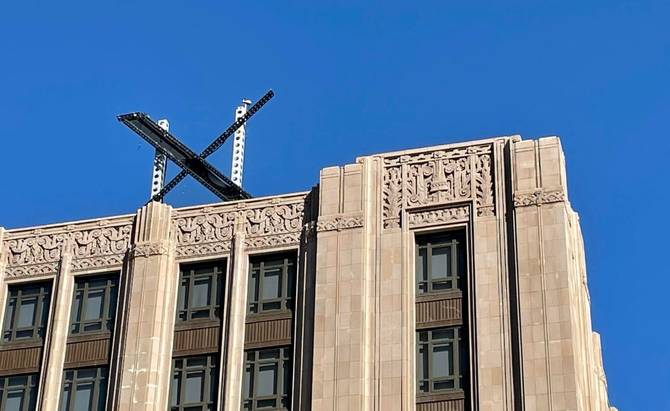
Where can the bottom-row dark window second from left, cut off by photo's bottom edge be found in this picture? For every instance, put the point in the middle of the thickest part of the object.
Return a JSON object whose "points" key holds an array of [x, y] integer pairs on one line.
{"points": [[84, 389]]}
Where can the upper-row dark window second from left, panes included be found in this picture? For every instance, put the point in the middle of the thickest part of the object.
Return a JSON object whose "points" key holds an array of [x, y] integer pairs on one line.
{"points": [[94, 304]]}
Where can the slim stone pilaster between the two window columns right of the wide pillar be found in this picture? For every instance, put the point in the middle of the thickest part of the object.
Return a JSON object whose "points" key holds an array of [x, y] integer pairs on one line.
{"points": [[236, 326]]}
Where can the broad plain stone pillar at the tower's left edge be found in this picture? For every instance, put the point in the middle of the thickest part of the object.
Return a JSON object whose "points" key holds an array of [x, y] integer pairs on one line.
{"points": [[342, 335]]}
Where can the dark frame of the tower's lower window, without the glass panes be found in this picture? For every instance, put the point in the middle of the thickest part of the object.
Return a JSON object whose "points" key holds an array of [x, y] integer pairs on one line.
{"points": [[458, 361]]}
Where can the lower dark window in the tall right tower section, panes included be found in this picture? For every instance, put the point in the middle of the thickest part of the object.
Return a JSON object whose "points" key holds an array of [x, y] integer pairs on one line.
{"points": [[440, 360]]}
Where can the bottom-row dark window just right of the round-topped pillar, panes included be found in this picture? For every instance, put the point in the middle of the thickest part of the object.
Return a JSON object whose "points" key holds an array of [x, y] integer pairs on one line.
{"points": [[194, 383]]}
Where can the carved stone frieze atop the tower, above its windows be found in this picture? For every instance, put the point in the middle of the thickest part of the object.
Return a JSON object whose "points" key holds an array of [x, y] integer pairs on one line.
{"points": [[438, 177]]}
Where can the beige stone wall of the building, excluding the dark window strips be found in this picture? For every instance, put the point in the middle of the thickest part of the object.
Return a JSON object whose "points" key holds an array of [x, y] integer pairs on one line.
{"points": [[530, 333]]}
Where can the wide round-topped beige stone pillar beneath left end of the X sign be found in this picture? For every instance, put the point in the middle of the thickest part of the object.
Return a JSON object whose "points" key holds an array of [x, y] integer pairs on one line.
{"points": [[150, 313]]}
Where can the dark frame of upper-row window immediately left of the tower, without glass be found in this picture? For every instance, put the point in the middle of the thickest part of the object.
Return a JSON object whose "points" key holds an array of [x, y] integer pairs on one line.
{"points": [[259, 264]]}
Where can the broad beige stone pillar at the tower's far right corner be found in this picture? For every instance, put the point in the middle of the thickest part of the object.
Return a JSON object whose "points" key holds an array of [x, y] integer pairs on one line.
{"points": [[553, 298]]}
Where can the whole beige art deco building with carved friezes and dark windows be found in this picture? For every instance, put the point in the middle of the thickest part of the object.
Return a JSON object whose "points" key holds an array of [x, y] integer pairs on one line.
{"points": [[438, 279]]}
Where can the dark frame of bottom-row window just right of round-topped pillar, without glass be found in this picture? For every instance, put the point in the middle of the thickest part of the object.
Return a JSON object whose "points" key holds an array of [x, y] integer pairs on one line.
{"points": [[182, 370]]}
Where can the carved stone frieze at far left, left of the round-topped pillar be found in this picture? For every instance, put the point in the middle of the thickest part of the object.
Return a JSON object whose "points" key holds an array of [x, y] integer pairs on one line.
{"points": [[97, 244]]}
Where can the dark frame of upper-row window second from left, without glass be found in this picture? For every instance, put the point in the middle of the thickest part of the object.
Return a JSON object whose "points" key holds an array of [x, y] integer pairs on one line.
{"points": [[108, 319]]}
